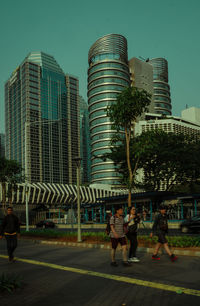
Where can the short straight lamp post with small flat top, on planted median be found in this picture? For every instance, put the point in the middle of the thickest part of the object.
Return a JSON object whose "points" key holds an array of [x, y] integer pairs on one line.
{"points": [[78, 167]]}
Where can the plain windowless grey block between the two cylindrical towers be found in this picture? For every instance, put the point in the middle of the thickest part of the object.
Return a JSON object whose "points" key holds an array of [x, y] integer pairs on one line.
{"points": [[142, 78]]}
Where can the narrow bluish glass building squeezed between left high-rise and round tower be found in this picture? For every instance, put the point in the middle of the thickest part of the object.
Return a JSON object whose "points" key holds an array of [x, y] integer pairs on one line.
{"points": [[85, 142]]}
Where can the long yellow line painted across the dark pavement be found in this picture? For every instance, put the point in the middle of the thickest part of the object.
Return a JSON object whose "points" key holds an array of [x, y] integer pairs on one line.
{"points": [[112, 277]]}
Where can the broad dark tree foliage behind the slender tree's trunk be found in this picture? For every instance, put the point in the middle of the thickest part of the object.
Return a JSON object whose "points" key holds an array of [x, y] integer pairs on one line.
{"points": [[168, 161]]}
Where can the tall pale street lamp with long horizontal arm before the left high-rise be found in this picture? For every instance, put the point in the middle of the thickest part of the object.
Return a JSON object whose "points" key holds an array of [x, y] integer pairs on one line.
{"points": [[26, 161]]}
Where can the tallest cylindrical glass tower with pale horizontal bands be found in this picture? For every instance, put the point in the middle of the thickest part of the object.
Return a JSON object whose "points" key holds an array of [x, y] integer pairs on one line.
{"points": [[108, 74]]}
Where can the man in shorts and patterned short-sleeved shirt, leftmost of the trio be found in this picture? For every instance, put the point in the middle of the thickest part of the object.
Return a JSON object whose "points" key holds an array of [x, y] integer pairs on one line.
{"points": [[118, 236]]}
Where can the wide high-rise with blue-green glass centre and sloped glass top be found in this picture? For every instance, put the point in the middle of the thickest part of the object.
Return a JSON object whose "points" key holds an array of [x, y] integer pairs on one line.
{"points": [[39, 91]]}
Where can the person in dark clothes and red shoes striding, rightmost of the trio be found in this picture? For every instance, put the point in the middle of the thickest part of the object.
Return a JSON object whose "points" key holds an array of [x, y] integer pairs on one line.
{"points": [[160, 228]]}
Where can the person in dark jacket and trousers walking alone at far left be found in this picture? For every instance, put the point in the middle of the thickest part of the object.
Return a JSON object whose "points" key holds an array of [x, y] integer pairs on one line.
{"points": [[10, 228]]}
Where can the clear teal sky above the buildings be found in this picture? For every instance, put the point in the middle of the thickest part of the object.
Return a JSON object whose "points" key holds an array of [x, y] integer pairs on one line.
{"points": [[66, 29]]}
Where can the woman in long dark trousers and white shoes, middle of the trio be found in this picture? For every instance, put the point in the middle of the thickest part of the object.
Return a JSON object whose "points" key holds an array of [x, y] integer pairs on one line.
{"points": [[133, 220]]}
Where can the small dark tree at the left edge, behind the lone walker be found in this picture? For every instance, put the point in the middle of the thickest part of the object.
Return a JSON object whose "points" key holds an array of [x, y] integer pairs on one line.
{"points": [[10, 172]]}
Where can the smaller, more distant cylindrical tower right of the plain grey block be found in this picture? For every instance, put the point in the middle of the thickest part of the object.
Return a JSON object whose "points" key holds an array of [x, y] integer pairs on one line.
{"points": [[162, 100]]}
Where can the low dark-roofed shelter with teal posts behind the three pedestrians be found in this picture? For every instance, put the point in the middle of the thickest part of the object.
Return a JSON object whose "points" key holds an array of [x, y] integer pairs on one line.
{"points": [[179, 206]]}
